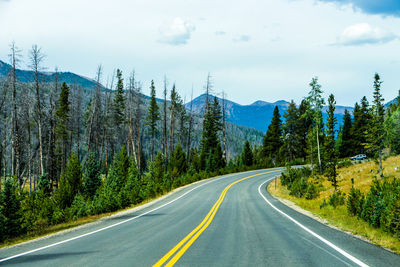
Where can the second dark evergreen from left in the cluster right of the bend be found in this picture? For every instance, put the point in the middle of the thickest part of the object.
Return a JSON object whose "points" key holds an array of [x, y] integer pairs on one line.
{"points": [[291, 132]]}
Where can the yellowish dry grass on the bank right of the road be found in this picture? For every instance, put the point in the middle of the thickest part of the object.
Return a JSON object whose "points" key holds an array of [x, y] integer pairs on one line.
{"points": [[363, 175]]}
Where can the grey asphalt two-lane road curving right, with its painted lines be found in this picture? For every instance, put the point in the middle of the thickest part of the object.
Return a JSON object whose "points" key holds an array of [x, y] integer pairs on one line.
{"points": [[224, 223]]}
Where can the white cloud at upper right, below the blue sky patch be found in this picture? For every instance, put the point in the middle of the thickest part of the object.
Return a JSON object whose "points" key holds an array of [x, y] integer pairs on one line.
{"points": [[363, 33]]}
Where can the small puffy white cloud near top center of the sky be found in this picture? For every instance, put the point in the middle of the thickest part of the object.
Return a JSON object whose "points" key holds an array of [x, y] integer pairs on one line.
{"points": [[176, 33]]}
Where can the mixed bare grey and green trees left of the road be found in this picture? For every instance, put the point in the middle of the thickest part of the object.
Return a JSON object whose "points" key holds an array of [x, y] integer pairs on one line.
{"points": [[63, 157]]}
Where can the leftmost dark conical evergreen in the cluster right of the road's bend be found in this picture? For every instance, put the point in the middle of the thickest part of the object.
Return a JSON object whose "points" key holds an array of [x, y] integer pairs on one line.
{"points": [[273, 137]]}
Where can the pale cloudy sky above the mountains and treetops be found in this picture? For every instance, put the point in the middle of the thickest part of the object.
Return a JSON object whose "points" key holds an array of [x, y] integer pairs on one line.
{"points": [[254, 49]]}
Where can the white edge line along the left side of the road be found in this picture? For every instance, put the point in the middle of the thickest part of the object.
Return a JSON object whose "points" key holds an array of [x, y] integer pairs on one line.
{"points": [[110, 226]]}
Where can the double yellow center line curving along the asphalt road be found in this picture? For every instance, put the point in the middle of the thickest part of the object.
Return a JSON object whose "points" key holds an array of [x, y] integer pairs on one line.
{"points": [[186, 242]]}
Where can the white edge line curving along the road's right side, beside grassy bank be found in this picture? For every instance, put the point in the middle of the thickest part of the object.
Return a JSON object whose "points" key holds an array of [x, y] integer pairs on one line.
{"points": [[341, 251]]}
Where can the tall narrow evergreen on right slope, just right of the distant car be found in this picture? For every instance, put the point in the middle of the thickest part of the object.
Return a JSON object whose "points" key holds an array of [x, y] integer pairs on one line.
{"points": [[376, 131]]}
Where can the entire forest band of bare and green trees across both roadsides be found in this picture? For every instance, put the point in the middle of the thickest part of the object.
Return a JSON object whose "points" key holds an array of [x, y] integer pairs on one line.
{"points": [[66, 153]]}
